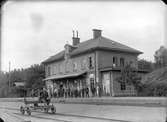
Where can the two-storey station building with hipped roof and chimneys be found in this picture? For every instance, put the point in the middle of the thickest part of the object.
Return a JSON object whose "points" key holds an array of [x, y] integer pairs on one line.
{"points": [[95, 63]]}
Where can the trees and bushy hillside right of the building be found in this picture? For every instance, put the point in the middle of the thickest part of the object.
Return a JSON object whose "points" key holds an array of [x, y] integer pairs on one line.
{"points": [[155, 82]]}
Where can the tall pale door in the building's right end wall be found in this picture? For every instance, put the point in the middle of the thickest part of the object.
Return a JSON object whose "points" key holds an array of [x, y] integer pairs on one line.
{"points": [[106, 83]]}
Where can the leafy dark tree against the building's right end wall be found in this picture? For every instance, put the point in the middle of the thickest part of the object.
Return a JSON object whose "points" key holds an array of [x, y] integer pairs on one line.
{"points": [[131, 77]]}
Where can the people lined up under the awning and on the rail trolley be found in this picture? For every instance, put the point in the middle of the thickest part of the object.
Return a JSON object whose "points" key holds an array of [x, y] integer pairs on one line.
{"points": [[45, 94]]}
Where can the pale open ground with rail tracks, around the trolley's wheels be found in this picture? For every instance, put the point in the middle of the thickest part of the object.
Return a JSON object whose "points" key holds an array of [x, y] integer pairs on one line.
{"points": [[85, 113]]}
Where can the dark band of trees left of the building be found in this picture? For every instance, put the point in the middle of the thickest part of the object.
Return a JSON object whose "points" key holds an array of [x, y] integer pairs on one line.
{"points": [[32, 77]]}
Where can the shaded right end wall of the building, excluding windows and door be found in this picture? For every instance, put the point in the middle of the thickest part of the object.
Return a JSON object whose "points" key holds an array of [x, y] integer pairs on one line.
{"points": [[105, 60]]}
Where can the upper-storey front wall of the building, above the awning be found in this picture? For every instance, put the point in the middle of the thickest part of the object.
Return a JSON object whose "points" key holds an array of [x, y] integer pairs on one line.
{"points": [[71, 65]]}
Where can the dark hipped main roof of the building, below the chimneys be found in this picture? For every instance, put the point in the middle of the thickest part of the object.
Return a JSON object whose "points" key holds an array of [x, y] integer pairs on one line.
{"points": [[92, 44]]}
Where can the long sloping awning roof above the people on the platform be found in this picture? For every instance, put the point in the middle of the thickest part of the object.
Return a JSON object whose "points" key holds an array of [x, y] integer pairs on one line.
{"points": [[64, 76]]}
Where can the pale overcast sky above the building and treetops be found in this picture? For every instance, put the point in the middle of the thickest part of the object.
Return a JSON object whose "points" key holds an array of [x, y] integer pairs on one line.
{"points": [[34, 31]]}
